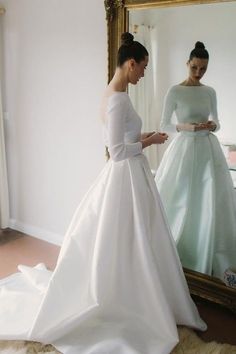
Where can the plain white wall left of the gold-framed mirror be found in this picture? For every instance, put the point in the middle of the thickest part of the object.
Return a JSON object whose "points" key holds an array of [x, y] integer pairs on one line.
{"points": [[55, 67]]}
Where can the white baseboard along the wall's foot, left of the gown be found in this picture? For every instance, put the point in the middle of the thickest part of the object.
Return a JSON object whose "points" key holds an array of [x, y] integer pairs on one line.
{"points": [[36, 232]]}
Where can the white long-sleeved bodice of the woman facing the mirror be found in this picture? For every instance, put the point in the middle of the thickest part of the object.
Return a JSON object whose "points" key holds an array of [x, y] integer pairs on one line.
{"points": [[122, 127]]}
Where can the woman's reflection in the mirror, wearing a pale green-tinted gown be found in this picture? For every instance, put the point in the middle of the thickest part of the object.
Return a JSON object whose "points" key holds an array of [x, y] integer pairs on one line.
{"points": [[193, 177]]}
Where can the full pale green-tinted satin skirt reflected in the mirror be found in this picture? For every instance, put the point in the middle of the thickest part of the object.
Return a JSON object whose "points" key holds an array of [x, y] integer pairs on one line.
{"points": [[199, 200]]}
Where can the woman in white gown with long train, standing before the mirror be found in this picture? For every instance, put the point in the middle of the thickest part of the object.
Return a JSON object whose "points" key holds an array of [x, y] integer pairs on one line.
{"points": [[118, 287]]}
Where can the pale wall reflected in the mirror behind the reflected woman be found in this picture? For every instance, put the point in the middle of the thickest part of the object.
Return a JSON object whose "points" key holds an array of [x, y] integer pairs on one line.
{"points": [[178, 28]]}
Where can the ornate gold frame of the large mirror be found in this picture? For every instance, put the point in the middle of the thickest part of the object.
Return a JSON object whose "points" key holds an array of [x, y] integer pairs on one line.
{"points": [[201, 285]]}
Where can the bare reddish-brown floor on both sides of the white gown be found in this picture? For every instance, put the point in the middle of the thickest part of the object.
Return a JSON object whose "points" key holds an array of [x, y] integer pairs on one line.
{"points": [[17, 248]]}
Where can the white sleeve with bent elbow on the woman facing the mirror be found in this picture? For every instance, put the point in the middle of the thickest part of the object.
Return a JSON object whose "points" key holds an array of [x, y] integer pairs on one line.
{"points": [[116, 117]]}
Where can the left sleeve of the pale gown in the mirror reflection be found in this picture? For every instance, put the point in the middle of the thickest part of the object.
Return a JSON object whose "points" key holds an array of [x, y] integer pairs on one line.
{"points": [[168, 110]]}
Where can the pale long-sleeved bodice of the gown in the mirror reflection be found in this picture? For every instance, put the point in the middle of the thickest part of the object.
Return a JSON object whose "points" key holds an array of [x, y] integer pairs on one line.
{"points": [[191, 104]]}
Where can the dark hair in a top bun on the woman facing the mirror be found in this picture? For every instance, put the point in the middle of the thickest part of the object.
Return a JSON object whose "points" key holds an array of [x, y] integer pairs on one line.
{"points": [[130, 49]]}
